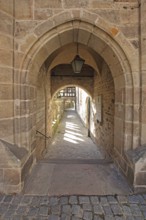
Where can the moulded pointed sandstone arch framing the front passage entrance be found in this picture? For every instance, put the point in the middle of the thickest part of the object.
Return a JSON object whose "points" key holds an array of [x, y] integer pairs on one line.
{"points": [[90, 30]]}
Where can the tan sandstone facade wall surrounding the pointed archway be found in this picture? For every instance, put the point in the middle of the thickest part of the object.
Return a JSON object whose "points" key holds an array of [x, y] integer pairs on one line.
{"points": [[33, 32]]}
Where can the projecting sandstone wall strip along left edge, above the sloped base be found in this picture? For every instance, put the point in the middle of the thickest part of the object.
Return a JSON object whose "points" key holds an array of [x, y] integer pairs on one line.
{"points": [[6, 71]]}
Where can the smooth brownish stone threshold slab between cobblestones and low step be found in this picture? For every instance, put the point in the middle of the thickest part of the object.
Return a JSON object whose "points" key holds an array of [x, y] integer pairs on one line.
{"points": [[68, 179]]}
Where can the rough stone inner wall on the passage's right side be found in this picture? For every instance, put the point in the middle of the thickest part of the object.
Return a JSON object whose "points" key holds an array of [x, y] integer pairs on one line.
{"points": [[104, 131]]}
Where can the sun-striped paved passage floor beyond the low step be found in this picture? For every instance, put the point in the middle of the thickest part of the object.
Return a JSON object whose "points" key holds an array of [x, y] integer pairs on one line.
{"points": [[71, 141]]}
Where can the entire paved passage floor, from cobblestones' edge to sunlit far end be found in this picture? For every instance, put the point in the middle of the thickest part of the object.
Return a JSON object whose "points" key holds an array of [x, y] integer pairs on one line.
{"points": [[74, 166]]}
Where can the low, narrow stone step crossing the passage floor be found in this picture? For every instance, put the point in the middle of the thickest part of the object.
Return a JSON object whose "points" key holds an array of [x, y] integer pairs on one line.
{"points": [[76, 161]]}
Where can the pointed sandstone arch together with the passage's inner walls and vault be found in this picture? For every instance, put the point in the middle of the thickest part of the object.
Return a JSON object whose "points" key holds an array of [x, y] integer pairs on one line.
{"points": [[111, 58]]}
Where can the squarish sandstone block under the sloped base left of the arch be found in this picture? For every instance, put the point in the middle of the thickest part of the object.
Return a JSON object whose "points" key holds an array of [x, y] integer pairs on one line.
{"points": [[11, 176]]}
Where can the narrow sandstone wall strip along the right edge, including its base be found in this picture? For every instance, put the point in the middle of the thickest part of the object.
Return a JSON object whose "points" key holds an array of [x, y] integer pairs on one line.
{"points": [[140, 153]]}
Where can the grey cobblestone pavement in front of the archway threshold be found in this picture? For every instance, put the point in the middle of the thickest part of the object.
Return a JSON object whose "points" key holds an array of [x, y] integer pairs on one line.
{"points": [[17, 207]]}
